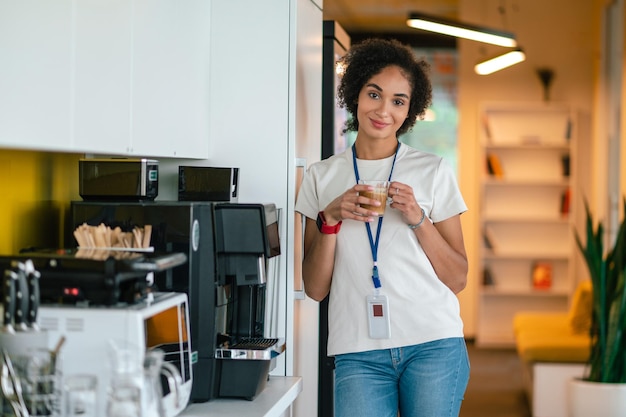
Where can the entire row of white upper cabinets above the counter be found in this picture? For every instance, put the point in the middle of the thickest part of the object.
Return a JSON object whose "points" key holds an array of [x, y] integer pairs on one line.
{"points": [[105, 76]]}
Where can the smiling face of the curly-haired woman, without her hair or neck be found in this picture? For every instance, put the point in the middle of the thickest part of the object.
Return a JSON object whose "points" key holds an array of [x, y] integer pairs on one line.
{"points": [[383, 104]]}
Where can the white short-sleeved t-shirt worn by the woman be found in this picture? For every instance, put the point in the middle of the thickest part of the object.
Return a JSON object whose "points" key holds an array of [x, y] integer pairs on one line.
{"points": [[421, 307]]}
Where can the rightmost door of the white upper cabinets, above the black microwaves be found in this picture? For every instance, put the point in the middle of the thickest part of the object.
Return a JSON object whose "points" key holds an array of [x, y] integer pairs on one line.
{"points": [[170, 96]]}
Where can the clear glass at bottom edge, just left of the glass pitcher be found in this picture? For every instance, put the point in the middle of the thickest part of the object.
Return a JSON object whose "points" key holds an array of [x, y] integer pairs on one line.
{"points": [[81, 395]]}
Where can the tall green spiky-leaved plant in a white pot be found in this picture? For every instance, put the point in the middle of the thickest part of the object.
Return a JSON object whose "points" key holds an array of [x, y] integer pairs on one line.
{"points": [[606, 372]]}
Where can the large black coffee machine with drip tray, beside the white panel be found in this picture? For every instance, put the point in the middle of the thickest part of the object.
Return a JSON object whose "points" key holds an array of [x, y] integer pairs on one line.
{"points": [[228, 247]]}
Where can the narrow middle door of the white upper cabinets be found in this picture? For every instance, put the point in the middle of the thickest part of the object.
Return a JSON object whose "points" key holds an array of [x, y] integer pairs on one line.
{"points": [[102, 43]]}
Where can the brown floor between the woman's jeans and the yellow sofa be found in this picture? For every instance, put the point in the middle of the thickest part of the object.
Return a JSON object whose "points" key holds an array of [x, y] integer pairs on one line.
{"points": [[495, 388]]}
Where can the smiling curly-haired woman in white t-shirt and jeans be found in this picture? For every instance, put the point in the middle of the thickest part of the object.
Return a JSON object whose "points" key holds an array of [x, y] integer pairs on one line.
{"points": [[394, 324]]}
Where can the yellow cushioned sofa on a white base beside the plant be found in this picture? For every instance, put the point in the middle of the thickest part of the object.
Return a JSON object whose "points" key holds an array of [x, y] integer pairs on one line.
{"points": [[553, 348]]}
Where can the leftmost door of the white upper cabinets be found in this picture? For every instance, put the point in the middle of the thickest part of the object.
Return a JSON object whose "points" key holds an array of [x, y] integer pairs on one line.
{"points": [[35, 74]]}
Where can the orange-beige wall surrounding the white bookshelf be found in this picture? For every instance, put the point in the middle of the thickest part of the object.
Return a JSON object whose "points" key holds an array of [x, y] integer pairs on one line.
{"points": [[563, 35]]}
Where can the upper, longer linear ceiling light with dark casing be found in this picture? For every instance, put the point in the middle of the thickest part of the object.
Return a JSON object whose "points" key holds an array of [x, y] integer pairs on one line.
{"points": [[461, 30]]}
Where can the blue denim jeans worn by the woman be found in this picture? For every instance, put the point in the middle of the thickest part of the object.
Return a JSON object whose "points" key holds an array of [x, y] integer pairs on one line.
{"points": [[425, 380]]}
